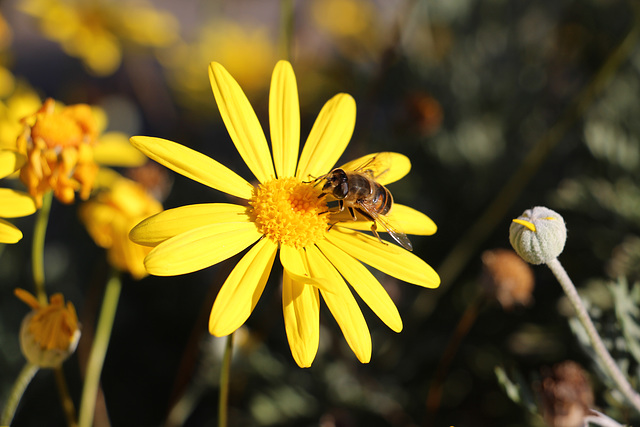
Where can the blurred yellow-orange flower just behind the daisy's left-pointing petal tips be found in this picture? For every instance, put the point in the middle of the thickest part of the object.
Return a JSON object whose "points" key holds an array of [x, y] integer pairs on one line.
{"points": [[109, 217]]}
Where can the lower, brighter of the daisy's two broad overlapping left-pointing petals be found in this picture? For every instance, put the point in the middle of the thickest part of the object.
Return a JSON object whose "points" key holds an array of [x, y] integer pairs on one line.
{"points": [[200, 248]]}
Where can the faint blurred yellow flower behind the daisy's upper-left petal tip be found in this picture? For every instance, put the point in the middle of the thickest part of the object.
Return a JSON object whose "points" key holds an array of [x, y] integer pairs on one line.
{"points": [[247, 51]]}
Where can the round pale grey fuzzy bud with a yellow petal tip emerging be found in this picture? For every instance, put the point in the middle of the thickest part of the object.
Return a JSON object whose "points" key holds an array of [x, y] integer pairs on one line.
{"points": [[538, 235]]}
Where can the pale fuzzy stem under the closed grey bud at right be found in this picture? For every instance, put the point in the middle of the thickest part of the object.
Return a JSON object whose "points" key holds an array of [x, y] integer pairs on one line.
{"points": [[609, 364]]}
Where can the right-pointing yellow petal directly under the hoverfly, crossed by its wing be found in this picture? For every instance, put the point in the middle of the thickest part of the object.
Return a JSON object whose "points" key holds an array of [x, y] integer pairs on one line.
{"points": [[401, 217]]}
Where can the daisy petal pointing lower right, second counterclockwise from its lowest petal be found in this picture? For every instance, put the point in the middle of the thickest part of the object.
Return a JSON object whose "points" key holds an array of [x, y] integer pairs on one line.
{"points": [[365, 284]]}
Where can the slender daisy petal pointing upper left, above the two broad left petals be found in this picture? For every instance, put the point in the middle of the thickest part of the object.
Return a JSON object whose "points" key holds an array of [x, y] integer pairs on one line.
{"points": [[193, 165]]}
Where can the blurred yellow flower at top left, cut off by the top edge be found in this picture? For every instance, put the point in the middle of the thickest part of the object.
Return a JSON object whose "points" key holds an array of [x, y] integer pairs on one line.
{"points": [[97, 31]]}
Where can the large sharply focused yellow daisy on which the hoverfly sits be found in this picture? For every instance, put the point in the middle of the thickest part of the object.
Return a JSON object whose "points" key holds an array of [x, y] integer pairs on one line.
{"points": [[284, 214]]}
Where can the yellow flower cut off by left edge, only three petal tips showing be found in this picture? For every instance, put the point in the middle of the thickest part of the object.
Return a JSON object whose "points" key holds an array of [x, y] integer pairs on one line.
{"points": [[13, 203]]}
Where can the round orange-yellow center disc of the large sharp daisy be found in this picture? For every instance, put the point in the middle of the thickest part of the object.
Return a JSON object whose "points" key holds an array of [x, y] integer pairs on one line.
{"points": [[290, 212]]}
